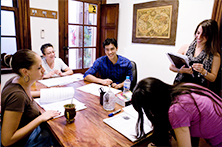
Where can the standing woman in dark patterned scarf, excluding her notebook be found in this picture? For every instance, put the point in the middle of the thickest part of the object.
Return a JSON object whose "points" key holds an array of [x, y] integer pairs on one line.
{"points": [[203, 54]]}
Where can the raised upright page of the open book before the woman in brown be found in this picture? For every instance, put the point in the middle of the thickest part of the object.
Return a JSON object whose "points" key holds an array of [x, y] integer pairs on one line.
{"points": [[49, 95]]}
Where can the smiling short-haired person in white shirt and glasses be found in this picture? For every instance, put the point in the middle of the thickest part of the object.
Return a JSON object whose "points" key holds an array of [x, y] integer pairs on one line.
{"points": [[53, 66]]}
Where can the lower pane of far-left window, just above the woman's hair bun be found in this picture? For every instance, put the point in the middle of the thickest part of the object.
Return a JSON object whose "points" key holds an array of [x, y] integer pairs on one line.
{"points": [[8, 45]]}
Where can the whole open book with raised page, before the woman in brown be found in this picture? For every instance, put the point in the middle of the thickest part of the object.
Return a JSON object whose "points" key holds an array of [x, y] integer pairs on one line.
{"points": [[56, 98]]}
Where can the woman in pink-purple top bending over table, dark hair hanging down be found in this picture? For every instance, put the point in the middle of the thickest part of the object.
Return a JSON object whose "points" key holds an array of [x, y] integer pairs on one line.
{"points": [[182, 110]]}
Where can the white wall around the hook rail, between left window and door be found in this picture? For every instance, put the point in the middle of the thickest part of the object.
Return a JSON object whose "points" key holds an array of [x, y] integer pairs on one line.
{"points": [[50, 26]]}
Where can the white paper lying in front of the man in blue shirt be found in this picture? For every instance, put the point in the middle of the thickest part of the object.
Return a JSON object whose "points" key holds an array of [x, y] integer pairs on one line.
{"points": [[93, 88]]}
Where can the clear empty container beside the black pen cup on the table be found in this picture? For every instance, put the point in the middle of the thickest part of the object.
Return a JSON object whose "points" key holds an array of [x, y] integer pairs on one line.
{"points": [[109, 100]]}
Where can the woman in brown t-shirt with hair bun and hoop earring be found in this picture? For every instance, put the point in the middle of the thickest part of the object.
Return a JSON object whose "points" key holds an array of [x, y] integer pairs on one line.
{"points": [[22, 123]]}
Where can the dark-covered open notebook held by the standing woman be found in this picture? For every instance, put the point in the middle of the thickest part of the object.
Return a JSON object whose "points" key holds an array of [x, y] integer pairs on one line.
{"points": [[178, 60]]}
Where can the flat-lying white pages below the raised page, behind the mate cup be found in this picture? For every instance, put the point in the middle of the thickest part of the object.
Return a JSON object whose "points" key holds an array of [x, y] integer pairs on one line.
{"points": [[59, 105]]}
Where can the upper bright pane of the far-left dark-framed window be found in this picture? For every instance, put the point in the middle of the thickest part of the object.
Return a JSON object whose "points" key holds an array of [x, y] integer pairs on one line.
{"points": [[7, 23]]}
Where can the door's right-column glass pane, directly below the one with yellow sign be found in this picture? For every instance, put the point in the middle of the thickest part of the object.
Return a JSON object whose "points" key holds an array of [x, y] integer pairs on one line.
{"points": [[89, 36]]}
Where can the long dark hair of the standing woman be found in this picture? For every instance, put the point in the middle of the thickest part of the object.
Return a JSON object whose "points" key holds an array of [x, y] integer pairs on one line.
{"points": [[210, 31]]}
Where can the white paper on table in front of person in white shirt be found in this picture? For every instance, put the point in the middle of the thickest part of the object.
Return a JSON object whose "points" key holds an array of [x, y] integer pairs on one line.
{"points": [[59, 81]]}
